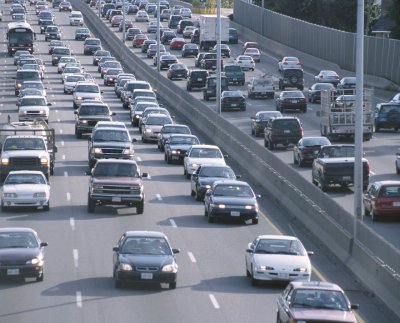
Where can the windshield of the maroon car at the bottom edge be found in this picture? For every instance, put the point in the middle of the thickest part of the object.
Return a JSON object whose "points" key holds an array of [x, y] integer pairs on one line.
{"points": [[319, 299]]}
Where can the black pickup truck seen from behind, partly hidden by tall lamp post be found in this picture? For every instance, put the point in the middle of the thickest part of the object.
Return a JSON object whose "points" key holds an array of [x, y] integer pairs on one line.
{"points": [[335, 165]]}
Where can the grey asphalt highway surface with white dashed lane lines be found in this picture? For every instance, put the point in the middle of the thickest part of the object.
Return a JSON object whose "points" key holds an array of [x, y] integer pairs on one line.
{"points": [[212, 285]]}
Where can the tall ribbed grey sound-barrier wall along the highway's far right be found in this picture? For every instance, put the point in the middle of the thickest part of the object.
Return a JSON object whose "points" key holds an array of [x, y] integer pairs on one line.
{"points": [[381, 55]]}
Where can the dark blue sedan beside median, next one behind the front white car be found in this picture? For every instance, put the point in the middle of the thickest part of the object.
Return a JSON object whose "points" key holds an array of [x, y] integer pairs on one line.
{"points": [[231, 199]]}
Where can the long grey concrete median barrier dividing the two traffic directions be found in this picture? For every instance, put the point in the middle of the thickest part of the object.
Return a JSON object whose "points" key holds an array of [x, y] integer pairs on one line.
{"points": [[324, 217]]}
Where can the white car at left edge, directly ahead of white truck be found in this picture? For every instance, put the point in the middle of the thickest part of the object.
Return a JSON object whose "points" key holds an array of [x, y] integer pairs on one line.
{"points": [[25, 188]]}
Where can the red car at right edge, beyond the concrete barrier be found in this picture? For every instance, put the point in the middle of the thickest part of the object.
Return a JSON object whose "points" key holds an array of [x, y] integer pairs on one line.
{"points": [[382, 199]]}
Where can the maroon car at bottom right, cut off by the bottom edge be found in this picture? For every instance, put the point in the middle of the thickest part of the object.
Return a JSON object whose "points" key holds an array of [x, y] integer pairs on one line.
{"points": [[314, 301]]}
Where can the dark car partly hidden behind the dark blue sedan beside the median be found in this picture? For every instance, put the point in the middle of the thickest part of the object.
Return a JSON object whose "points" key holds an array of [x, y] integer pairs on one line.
{"points": [[205, 176]]}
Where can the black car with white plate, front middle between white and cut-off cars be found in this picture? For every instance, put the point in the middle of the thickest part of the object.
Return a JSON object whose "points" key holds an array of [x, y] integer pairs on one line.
{"points": [[144, 257]]}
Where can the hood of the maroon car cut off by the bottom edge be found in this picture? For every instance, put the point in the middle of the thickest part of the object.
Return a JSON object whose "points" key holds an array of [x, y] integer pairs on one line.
{"points": [[323, 315]]}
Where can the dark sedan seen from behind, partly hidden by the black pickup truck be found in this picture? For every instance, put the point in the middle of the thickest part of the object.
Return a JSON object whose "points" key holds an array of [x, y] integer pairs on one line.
{"points": [[307, 149]]}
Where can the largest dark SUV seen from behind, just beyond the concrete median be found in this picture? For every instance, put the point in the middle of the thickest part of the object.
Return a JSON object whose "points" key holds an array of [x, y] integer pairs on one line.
{"points": [[282, 130]]}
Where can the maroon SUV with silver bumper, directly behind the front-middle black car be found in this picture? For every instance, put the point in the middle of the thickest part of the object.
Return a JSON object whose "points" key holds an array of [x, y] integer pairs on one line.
{"points": [[116, 182]]}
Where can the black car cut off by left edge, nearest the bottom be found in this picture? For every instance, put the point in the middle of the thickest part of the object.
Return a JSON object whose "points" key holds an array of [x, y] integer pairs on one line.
{"points": [[21, 254]]}
